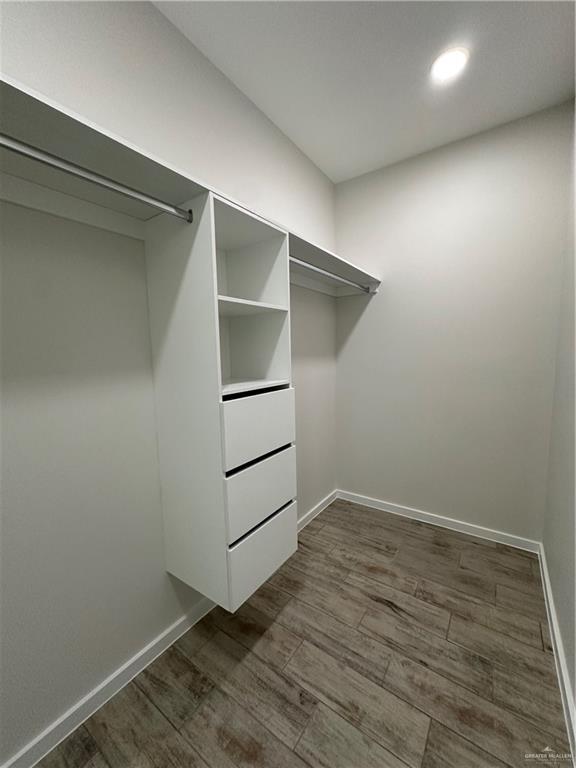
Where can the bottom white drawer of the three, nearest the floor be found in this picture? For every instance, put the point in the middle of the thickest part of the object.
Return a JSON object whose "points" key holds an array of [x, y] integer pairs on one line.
{"points": [[255, 558]]}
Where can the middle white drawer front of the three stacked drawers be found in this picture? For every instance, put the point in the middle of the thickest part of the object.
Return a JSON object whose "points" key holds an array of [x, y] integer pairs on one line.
{"points": [[256, 492]]}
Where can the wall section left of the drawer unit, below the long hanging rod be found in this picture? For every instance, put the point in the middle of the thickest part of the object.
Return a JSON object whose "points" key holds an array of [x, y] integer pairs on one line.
{"points": [[83, 580]]}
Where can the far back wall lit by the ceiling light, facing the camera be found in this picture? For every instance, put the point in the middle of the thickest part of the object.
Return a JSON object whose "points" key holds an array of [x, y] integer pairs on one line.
{"points": [[445, 378]]}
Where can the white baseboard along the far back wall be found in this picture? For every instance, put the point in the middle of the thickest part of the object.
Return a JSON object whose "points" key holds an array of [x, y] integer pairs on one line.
{"points": [[444, 522]]}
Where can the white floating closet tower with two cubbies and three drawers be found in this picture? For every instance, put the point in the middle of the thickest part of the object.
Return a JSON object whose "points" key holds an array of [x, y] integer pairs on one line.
{"points": [[220, 321]]}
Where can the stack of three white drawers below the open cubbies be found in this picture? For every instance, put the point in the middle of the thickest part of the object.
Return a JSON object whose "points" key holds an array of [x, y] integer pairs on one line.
{"points": [[260, 487]]}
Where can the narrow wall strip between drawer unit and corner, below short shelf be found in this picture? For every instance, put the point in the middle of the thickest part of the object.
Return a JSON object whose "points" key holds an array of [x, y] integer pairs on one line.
{"points": [[313, 318]]}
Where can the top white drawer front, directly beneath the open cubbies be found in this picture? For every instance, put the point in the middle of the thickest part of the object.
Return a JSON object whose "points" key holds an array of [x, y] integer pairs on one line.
{"points": [[253, 426]]}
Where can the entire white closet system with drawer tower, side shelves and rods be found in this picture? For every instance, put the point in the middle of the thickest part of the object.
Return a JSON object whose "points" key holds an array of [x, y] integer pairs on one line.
{"points": [[219, 299]]}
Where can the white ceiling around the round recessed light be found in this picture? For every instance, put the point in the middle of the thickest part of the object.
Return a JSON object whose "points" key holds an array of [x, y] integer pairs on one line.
{"points": [[348, 82]]}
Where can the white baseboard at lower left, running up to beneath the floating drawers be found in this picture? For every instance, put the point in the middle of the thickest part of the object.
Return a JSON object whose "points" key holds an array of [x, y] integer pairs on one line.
{"points": [[36, 749]]}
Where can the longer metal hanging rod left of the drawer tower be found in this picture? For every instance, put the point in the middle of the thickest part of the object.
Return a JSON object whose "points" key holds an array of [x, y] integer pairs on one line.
{"points": [[20, 148]]}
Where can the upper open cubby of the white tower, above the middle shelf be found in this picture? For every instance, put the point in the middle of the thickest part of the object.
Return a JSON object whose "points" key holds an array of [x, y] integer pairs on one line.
{"points": [[251, 258]]}
